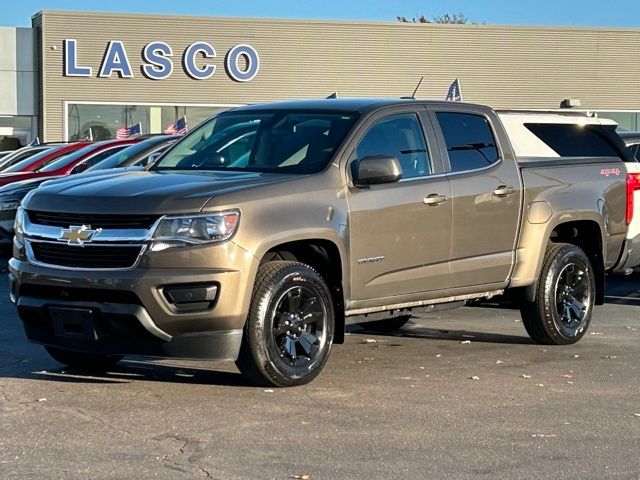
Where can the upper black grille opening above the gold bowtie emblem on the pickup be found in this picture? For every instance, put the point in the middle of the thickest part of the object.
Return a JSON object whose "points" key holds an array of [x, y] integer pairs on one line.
{"points": [[65, 220]]}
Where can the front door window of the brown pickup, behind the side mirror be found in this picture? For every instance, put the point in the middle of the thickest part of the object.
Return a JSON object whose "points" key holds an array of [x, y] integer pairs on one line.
{"points": [[398, 136]]}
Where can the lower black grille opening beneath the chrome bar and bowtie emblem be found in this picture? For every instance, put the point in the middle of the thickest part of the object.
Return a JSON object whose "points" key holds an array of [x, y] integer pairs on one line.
{"points": [[88, 256]]}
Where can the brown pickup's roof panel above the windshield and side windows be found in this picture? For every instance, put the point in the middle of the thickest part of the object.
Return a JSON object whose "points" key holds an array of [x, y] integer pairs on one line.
{"points": [[344, 104]]}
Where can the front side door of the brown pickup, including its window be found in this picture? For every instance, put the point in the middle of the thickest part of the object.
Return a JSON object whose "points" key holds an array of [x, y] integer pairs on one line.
{"points": [[400, 233]]}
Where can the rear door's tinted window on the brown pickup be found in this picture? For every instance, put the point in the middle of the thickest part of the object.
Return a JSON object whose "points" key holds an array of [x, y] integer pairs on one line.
{"points": [[469, 140]]}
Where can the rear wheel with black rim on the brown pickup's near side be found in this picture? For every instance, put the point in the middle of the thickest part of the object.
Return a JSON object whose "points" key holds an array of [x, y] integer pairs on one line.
{"points": [[562, 309]]}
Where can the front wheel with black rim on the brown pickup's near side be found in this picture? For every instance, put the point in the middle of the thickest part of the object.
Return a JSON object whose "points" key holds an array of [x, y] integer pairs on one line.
{"points": [[279, 354]]}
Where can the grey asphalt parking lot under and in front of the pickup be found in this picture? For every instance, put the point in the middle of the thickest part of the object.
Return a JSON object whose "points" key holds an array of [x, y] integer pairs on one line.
{"points": [[458, 394]]}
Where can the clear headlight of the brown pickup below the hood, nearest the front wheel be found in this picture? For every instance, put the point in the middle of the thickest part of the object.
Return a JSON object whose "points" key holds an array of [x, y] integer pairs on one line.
{"points": [[194, 229]]}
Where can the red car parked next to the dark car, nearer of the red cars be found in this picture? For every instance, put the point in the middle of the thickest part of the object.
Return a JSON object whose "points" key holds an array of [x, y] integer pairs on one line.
{"points": [[73, 158]]}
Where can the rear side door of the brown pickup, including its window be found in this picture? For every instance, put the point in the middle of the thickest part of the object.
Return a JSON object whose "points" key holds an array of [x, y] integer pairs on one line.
{"points": [[486, 196]]}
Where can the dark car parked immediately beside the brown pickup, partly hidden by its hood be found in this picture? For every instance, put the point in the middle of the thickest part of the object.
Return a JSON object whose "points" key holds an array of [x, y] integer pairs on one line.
{"points": [[134, 155]]}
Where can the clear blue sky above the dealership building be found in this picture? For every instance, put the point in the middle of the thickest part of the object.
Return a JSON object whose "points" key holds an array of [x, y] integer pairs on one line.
{"points": [[601, 13]]}
